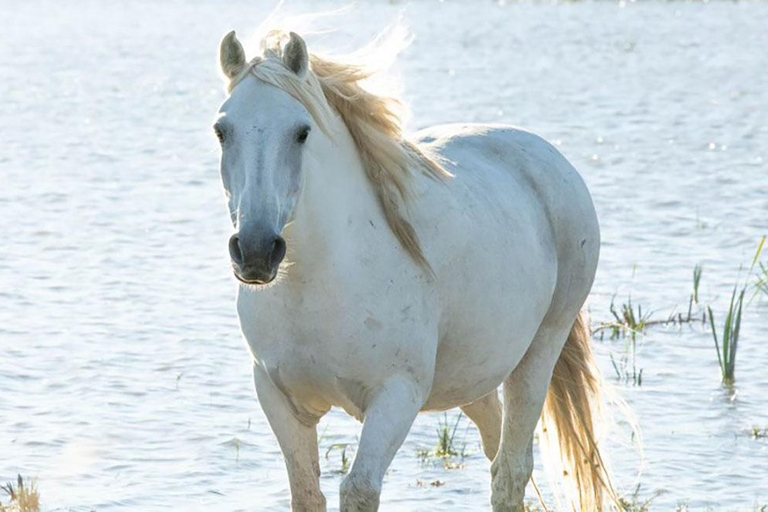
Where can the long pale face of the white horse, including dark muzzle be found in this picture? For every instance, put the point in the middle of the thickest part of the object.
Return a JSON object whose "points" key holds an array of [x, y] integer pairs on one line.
{"points": [[263, 133]]}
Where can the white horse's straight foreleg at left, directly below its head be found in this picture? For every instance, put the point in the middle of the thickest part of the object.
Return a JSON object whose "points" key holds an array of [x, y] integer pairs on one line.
{"points": [[298, 442]]}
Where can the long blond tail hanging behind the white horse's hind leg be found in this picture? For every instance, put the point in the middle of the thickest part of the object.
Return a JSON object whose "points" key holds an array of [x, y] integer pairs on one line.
{"points": [[572, 412]]}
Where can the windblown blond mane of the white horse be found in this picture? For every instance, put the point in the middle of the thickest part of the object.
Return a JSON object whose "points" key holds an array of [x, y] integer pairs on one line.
{"points": [[375, 123]]}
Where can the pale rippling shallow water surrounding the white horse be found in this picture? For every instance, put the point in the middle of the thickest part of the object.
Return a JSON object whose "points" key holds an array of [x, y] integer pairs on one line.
{"points": [[124, 383]]}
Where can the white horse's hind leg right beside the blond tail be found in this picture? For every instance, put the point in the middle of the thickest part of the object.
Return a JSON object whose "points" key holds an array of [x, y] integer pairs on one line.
{"points": [[525, 391]]}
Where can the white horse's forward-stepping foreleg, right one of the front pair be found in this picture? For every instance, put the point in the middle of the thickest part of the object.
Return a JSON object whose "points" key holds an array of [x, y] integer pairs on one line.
{"points": [[388, 418]]}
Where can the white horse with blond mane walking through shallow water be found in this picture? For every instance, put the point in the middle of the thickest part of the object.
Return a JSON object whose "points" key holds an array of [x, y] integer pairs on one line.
{"points": [[423, 274]]}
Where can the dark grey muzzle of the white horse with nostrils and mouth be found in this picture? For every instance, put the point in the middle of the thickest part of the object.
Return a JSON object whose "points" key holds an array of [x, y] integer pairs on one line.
{"points": [[256, 261]]}
